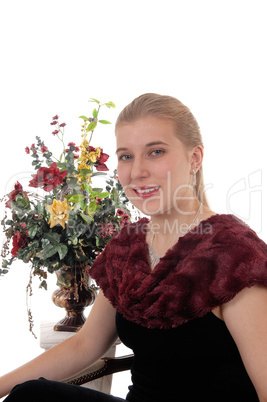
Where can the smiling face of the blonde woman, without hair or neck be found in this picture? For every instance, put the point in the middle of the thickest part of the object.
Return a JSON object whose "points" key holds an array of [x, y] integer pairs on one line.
{"points": [[154, 166]]}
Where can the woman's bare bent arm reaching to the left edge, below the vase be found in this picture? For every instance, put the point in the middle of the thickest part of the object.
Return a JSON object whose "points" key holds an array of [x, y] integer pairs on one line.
{"points": [[72, 355]]}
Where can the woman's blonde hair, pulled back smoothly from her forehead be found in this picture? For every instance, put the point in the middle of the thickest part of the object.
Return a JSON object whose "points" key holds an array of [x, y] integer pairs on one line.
{"points": [[170, 108]]}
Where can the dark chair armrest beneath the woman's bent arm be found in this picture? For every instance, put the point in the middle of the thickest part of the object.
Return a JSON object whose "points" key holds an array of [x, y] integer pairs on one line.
{"points": [[103, 367]]}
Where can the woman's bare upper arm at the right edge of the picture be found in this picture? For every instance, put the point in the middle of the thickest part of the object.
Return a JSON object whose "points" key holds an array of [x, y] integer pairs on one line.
{"points": [[246, 318]]}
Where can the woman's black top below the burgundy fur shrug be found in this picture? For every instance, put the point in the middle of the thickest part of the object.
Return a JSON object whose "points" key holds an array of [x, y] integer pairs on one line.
{"points": [[197, 361]]}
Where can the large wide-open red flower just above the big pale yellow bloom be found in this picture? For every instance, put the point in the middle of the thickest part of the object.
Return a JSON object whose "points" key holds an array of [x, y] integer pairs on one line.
{"points": [[48, 178]]}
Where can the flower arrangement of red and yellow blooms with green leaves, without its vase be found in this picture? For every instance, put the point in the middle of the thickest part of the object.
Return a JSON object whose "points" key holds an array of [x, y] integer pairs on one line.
{"points": [[72, 221]]}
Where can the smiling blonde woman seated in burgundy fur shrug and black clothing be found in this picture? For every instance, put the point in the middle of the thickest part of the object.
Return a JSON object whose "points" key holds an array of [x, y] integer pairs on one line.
{"points": [[185, 289]]}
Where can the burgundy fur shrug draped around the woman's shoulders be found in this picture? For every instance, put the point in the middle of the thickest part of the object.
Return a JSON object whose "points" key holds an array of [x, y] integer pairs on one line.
{"points": [[205, 268]]}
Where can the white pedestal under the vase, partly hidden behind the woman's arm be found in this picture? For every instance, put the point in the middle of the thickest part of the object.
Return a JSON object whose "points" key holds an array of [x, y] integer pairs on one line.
{"points": [[50, 338]]}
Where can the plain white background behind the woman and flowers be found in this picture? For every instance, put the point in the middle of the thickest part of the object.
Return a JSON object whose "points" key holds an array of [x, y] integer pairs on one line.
{"points": [[57, 54]]}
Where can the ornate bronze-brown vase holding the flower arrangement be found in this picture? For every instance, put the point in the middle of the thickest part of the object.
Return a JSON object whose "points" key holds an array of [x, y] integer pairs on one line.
{"points": [[74, 295]]}
